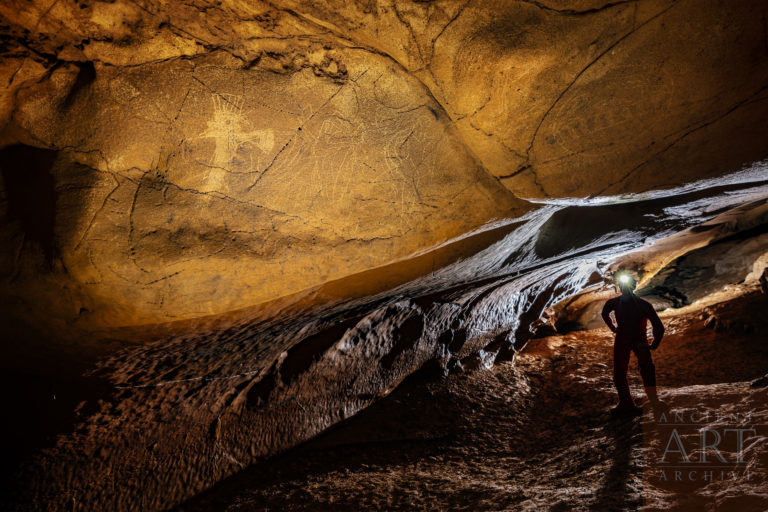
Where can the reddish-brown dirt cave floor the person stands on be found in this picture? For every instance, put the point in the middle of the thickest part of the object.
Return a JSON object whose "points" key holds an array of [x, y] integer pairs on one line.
{"points": [[536, 434]]}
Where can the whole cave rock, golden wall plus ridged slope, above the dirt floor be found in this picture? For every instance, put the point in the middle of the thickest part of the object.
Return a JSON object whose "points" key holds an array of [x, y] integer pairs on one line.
{"points": [[227, 226]]}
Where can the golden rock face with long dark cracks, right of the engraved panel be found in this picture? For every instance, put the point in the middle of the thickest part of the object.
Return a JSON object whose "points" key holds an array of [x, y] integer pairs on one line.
{"points": [[581, 98]]}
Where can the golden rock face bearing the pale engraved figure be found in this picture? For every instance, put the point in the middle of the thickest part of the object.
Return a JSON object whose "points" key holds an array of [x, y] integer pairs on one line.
{"points": [[194, 186]]}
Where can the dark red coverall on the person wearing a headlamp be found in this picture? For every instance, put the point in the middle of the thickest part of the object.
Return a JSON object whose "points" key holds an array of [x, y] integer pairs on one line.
{"points": [[632, 314]]}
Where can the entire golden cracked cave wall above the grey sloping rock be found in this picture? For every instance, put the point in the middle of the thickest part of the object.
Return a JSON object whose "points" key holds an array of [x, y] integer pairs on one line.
{"points": [[208, 157]]}
